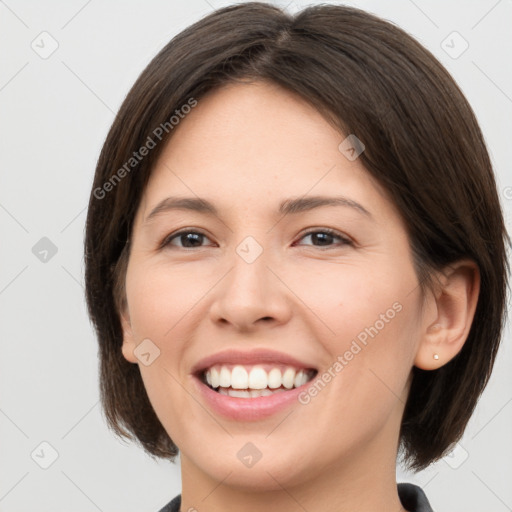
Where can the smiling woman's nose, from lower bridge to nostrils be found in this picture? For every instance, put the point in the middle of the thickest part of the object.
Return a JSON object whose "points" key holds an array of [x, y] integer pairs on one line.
{"points": [[251, 294]]}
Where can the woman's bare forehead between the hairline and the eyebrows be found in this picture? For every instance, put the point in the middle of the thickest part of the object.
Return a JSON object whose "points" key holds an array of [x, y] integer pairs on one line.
{"points": [[249, 145]]}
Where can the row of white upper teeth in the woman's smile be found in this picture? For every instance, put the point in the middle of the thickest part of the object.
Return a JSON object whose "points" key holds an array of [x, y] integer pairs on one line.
{"points": [[255, 377]]}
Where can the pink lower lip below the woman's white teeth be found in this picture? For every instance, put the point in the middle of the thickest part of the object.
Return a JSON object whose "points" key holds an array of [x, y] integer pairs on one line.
{"points": [[249, 409]]}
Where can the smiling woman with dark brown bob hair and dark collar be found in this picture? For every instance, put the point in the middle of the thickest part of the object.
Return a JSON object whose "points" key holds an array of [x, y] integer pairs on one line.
{"points": [[295, 261]]}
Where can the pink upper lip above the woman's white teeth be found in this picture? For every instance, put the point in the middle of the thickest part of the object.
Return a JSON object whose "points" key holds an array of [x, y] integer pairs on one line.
{"points": [[255, 356]]}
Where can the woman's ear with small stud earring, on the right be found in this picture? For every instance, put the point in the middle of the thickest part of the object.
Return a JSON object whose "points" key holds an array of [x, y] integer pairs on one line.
{"points": [[454, 304]]}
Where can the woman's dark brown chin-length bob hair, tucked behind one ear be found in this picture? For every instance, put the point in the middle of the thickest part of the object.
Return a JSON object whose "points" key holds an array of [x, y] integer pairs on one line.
{"points": [[369, 78]]}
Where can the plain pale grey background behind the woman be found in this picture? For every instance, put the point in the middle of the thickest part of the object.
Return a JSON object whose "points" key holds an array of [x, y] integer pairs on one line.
{"points": [[55, 112]]}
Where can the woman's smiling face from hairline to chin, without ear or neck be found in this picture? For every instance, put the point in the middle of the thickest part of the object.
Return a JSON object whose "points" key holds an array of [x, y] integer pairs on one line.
{"points": [[329, 289]]}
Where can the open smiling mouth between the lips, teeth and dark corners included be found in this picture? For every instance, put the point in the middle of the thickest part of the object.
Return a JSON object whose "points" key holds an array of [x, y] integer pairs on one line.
{"points": [[242, 381]]}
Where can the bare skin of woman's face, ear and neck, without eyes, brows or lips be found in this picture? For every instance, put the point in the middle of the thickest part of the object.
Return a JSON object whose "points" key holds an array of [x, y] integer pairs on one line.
{"points": [[246, 147]]}
